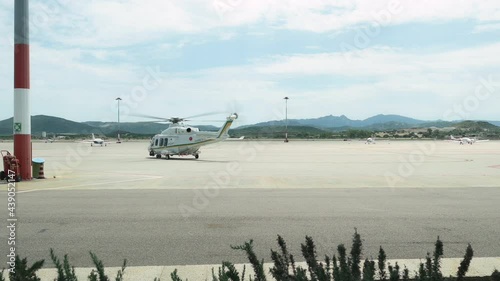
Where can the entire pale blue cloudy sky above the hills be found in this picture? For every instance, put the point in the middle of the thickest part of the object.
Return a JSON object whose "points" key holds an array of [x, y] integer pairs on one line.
{"points": [[423, 59]]}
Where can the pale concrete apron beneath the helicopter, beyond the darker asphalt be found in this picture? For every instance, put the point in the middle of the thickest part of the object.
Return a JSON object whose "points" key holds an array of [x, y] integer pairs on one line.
{"points": [[271, 164]]}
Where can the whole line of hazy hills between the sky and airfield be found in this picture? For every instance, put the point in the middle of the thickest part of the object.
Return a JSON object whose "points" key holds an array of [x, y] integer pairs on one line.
{"points": [[322, 126]]}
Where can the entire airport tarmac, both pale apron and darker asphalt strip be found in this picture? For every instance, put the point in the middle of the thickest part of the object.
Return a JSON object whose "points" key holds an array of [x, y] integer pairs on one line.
{"points": [[121, 203]]}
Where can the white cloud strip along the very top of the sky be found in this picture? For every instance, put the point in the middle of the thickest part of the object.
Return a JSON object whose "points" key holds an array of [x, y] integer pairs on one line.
{"points": [[122, 23]]}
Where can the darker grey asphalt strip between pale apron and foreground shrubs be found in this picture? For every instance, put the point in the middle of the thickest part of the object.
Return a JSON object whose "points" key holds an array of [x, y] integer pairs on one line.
{"points": [[148, 228]]}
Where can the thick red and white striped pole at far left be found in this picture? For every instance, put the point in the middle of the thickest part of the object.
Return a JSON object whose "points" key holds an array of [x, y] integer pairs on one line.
{"points": [[22, 105]]}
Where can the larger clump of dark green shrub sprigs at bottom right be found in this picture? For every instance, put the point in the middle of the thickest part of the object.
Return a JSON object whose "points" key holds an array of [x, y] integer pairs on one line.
{"points": [[340, 267]]}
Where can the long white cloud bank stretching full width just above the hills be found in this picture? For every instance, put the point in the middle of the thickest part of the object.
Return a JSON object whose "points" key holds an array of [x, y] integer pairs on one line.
{"points": [[419, 85]]}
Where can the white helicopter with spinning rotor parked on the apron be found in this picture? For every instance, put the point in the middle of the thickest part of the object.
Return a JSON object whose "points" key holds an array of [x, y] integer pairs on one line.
{"points": [[180, 139]]}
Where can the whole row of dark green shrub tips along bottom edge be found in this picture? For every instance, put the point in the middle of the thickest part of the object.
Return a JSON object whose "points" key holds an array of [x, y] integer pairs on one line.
{"points": [[342, 266]]}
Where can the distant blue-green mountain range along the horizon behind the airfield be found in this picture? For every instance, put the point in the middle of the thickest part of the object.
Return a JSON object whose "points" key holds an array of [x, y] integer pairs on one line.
{"points": [[56, 125]]}
